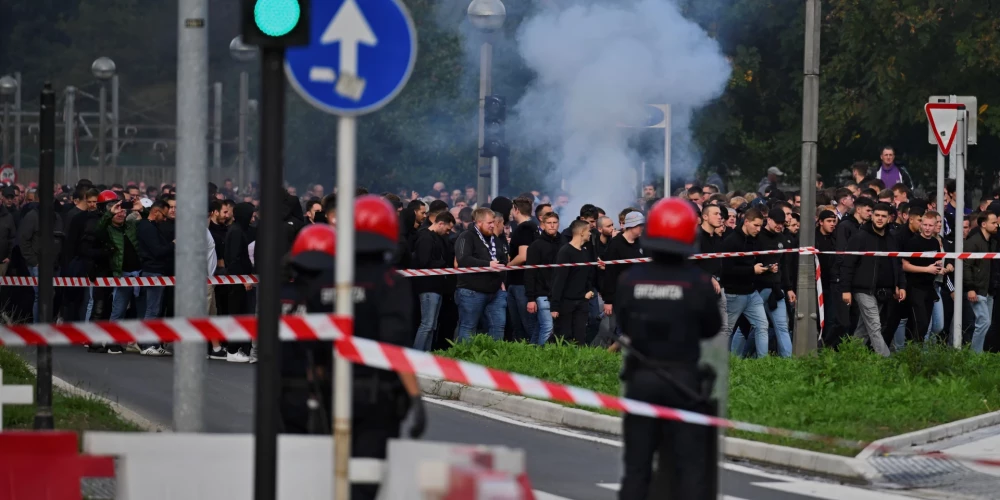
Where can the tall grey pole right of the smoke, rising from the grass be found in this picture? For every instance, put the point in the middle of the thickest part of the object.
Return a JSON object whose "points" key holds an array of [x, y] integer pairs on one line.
{"points": [[806, 314]]}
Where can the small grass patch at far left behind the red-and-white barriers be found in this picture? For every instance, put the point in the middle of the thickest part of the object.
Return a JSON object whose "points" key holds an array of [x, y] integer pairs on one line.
{"points": [[74, 413]]}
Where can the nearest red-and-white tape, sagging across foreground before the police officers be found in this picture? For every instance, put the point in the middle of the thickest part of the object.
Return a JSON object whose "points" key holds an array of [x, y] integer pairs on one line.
{"points": [[368, 352]]}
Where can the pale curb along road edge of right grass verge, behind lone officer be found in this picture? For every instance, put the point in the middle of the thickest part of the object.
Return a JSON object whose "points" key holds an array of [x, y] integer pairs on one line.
{"points": [[835, 466]]}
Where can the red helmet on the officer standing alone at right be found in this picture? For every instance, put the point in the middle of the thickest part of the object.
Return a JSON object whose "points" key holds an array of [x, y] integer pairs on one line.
{"points": [[672, 227]]}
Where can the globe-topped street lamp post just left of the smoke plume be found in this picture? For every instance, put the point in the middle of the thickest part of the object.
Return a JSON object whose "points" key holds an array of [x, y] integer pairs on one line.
{"points": [[487, 16]]}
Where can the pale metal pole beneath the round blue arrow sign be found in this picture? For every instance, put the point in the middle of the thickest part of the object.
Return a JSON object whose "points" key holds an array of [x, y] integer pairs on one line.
{"points": [[344, 268]]}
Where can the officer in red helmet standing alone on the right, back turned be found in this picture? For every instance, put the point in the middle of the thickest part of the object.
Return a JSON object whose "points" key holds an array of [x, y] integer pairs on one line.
{"points": [[665, 309]]}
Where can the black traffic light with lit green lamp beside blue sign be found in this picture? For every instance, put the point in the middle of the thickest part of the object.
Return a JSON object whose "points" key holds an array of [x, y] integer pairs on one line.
{"points": [[276, 23]]}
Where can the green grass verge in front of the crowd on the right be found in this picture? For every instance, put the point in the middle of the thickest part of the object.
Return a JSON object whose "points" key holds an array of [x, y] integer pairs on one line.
{"points": [[853, 393]]}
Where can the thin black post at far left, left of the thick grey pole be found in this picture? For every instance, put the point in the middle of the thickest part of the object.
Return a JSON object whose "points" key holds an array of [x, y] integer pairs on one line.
{"points": [[46, 264]]}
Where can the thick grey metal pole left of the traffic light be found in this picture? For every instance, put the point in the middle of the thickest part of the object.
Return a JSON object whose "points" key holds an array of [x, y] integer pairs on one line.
{"points": [[190, 291]]}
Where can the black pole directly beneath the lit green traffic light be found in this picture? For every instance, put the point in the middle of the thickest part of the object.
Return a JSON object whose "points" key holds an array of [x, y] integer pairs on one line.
{"points": [[269, 249]]}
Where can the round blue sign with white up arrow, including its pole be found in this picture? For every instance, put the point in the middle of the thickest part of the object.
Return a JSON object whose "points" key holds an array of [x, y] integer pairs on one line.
{"points": [[359, 58]]}
